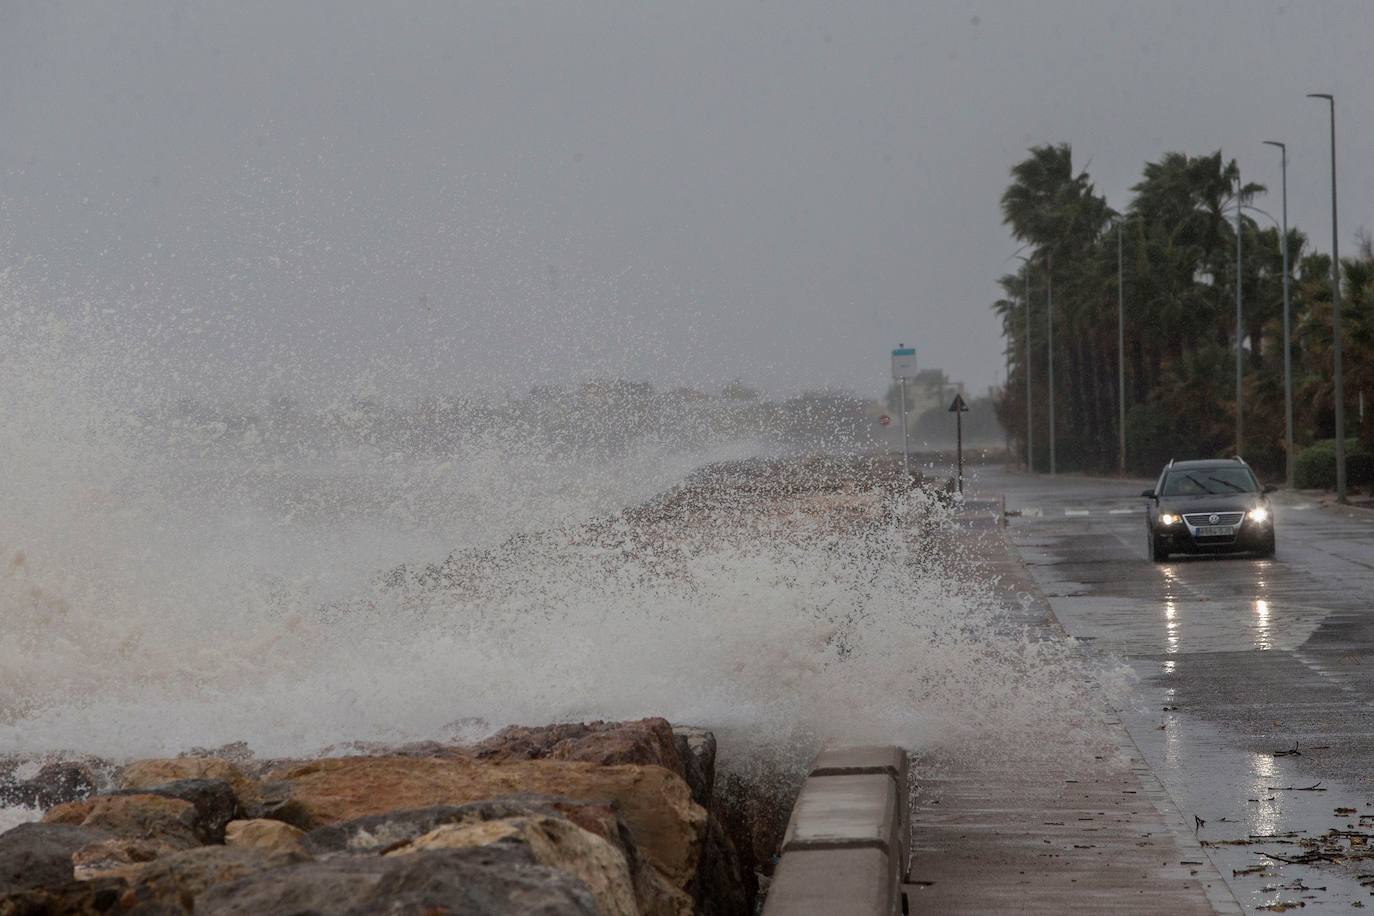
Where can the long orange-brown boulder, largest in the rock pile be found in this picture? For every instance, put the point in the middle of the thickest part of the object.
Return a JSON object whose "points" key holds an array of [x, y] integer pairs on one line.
{"points": [[667, 826]]}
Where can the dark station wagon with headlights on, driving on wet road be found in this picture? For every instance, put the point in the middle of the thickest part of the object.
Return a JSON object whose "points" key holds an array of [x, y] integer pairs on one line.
{"points": [[1208, 507]]}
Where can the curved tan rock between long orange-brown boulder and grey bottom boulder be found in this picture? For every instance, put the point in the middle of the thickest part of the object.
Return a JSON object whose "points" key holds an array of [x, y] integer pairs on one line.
{"points": [[553, 843]]}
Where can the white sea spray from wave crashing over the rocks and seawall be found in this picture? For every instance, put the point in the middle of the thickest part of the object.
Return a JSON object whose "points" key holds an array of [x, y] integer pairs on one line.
{"points": [[177, 576]]}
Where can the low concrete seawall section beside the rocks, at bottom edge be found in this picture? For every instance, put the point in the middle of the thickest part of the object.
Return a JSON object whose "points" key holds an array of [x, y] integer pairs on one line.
{"points": [[848, 843]]}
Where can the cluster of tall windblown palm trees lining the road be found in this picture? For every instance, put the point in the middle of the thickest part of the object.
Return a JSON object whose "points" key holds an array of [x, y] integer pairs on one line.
{"points": [[1181, 277]]}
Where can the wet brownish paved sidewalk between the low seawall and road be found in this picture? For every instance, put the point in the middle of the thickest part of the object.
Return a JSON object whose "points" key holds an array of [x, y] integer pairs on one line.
{"points": [[1082, 833]]}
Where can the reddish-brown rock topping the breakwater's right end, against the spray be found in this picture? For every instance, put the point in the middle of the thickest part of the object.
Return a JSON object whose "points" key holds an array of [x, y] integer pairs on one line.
{"points": [[644, 742]]}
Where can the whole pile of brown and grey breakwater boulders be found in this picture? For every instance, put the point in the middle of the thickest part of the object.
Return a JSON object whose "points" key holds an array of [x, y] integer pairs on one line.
{"points": [[607, 819]]}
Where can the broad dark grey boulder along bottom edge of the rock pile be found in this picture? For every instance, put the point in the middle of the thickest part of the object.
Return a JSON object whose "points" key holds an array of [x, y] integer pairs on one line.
{"points": [[495, 881]]}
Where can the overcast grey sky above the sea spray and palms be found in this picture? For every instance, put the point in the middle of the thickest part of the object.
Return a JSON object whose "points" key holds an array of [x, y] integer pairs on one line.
{"points": [[461, 196]]}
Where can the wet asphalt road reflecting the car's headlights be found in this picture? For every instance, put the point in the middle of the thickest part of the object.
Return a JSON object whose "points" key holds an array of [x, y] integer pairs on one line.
{"points": [[1240, 663]]}
